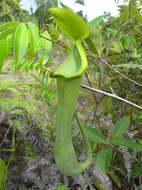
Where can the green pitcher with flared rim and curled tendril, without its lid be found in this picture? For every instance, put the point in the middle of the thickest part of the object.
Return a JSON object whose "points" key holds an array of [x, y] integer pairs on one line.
{"points": [[69, 76]]}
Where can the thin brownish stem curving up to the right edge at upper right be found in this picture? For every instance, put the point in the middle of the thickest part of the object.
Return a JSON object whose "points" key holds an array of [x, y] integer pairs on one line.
{"points": [[113, 38]]}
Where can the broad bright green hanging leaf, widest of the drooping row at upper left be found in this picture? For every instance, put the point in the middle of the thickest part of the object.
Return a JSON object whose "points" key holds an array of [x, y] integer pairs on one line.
{"points": [[20, 42]]}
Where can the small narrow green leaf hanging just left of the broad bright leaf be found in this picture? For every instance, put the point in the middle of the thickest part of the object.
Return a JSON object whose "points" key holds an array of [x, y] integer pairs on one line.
{"points": [[8, 45]]}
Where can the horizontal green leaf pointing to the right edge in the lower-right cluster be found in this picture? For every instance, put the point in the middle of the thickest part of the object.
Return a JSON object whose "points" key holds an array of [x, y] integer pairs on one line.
{"points": [[127, 142]]}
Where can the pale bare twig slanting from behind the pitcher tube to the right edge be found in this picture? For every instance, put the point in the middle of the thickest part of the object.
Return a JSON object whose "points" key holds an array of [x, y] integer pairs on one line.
{"points": [[112, 95]]}
